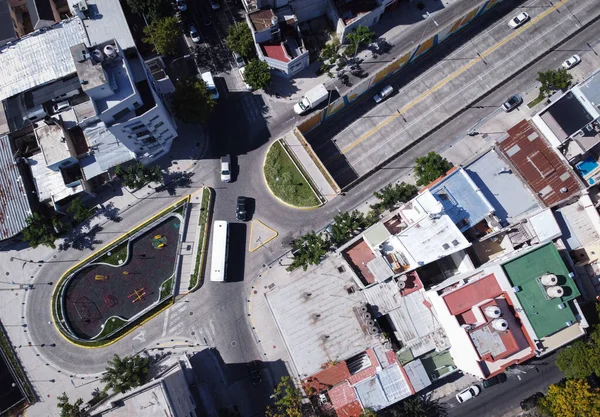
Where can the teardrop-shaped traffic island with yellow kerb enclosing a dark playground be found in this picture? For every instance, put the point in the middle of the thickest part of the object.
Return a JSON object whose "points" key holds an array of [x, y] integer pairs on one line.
{"points": [[129, 281]]}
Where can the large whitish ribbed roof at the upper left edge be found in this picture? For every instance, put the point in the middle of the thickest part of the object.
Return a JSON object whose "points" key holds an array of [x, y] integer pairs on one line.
{"points": [[39, 57]]}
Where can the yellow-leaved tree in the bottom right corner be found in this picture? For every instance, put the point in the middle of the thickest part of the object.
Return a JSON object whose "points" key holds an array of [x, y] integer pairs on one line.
{"points": [[573, 398]]}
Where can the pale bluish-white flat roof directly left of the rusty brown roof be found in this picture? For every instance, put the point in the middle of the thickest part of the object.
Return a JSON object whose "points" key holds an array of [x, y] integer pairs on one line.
{"points": [[511, 199]]}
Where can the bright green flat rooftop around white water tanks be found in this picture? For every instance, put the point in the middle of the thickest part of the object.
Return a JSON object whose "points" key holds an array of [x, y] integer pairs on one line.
{"points": [[544, 314]]}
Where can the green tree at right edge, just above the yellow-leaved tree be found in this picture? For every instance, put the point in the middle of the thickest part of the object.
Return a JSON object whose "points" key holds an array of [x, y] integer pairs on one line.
{"points": [[582, 358]]}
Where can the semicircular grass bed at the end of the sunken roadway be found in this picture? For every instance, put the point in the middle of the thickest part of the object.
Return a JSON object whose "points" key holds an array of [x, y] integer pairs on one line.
{"points": [[286, 181]]}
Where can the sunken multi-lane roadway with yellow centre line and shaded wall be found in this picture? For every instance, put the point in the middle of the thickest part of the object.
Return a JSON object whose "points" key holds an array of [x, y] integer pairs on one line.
{"points": [[434, 90]]}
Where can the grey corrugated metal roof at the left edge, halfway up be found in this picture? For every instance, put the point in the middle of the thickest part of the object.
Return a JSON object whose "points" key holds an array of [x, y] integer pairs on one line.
{"points": [[14, 205]]}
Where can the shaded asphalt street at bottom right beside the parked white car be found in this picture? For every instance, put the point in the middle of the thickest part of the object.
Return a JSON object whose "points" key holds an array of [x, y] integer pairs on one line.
{"points": [[523, 381]]}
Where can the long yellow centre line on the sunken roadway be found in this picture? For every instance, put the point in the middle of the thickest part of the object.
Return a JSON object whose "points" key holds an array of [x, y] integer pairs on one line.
{"points": [[449, 78]]}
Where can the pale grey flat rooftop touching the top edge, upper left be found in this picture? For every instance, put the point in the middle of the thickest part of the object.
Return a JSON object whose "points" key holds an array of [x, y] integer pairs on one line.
{"points": [[107, 22]]}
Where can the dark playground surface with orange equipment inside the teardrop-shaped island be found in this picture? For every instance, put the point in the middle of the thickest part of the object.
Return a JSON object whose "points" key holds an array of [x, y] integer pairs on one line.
{"points": [[100, 290]]}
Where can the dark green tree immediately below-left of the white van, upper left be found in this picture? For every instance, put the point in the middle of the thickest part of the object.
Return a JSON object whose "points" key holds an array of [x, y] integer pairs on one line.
{"points": [[192, 102]]}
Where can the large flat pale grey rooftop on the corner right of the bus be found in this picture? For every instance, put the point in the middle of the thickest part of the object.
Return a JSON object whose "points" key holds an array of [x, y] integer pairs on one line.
{"points": [[317, 317]]}
